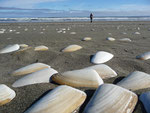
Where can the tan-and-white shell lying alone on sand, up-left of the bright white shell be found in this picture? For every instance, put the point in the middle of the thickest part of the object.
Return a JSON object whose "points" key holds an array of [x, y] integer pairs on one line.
{"points": [[71, 48]]}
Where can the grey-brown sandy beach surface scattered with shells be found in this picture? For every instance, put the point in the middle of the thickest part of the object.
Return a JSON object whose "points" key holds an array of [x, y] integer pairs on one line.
{"points": [[36, 34]]}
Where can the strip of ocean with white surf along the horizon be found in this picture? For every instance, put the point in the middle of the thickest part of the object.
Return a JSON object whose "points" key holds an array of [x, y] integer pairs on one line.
{"points": [[75, 19]]}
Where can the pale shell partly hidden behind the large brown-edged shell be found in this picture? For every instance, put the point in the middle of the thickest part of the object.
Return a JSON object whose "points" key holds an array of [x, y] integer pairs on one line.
{"points": [[103, 70]]}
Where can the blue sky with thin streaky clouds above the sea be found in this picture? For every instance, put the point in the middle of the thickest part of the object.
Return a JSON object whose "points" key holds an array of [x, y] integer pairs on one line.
{"points": [[73, 8]]}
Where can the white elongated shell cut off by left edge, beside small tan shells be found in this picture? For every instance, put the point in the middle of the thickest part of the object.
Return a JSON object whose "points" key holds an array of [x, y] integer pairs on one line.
{"points": [[10, 48]]}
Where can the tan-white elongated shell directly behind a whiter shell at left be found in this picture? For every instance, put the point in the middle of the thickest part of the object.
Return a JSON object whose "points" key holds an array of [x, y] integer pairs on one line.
{"points": [[30, 68]]}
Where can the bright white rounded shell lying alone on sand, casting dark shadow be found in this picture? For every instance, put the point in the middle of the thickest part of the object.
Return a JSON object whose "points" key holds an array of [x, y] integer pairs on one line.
{"points": [[101, 57]]}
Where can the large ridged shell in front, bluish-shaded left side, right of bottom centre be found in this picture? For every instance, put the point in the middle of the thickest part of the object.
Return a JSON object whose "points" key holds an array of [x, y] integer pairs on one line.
{"points": [[110, 98]]}
